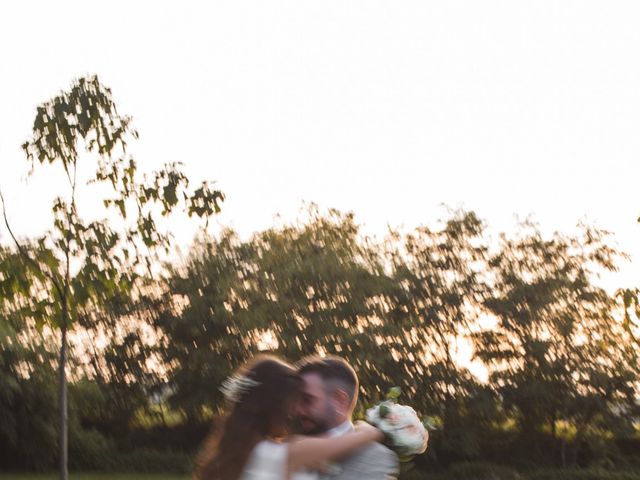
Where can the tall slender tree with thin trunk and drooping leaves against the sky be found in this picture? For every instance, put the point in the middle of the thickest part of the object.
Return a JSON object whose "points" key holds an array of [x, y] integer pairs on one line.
{"points": [[82, 264]]}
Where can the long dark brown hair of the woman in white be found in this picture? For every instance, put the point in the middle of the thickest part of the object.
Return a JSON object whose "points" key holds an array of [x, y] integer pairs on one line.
{"points": [[261, 412]]}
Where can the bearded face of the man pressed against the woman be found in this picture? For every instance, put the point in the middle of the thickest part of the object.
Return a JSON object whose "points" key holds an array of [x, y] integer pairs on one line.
{"points": [[314, 411]]}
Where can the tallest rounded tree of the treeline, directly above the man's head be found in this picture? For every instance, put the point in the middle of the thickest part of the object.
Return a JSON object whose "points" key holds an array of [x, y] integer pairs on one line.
{"points": [[321, 281]]}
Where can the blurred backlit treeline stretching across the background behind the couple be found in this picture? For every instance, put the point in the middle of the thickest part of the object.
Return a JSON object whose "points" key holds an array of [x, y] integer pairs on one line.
{"points": [[561, 359]]}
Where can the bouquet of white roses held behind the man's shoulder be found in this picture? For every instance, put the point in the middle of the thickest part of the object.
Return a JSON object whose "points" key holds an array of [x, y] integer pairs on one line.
{"points": [[406, 434]]}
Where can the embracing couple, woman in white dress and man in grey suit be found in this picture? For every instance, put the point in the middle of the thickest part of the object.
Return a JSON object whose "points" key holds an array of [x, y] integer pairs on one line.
{"points": [[257, 440]]}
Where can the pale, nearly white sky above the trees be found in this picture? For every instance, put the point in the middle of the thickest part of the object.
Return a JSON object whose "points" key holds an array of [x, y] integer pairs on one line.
{"points": [[387, 109]]}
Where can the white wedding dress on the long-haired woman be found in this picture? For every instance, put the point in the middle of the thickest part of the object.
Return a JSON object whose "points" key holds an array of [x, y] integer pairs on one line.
{"points": [[268, 461]]}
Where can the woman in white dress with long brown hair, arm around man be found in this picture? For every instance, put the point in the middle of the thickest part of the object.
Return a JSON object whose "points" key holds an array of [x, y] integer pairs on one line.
{"points": [[254, 442]]}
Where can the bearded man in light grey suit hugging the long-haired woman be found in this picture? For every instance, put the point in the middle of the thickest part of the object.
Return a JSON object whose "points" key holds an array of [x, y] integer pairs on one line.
{"points": [[329, 396]]}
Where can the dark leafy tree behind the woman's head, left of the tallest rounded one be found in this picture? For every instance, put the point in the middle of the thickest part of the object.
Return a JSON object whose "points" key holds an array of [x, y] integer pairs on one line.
{"points": [[206, 323]]}
